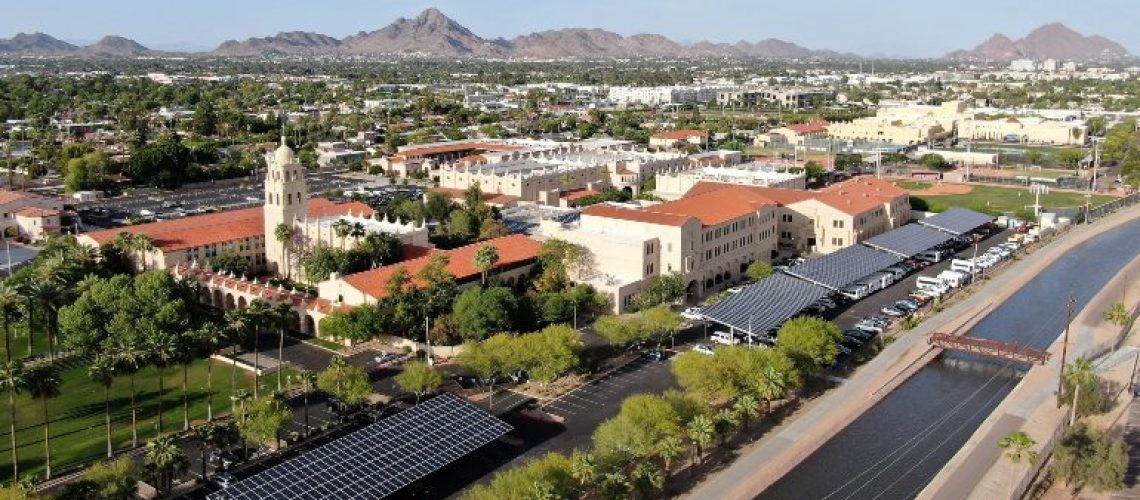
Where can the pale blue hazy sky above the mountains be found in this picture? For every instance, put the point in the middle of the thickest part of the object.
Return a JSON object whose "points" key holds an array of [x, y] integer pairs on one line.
{"points": [[869, 28]]}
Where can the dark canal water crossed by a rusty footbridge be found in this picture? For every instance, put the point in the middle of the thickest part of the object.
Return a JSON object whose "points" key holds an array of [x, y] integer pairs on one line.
{"points": [[894, 450]]}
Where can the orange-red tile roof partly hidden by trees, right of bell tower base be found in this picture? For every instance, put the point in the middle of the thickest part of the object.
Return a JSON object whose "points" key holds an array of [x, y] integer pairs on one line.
{"points": [[514, 250]]}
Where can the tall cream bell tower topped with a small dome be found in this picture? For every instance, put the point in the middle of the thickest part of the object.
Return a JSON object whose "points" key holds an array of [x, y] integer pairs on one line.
{"points": [[287, 202]]}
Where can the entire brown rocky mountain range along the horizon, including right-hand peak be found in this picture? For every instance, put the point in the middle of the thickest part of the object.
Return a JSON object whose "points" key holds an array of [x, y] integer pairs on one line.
{"points": [[433, 34]]}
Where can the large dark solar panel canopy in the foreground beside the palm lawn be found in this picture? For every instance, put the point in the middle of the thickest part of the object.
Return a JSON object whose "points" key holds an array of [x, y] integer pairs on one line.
{"points": [[379, 460]]}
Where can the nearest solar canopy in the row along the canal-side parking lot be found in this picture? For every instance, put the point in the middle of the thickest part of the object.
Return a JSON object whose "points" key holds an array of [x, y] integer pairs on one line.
{"points": [[766, 305]]}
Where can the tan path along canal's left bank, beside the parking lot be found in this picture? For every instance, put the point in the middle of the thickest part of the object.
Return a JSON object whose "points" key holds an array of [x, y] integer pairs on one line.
{"points": [[762, 465]]}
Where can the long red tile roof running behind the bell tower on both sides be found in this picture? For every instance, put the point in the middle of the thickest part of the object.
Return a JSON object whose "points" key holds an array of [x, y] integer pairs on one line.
{"points": [[222, 227]]}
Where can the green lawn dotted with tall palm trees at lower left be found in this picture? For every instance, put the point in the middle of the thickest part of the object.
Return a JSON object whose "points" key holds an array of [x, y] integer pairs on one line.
{"points": [[78, 420]]}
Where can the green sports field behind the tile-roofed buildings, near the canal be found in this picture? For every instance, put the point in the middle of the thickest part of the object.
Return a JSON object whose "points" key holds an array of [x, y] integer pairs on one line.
{"points": [[996, 201]]}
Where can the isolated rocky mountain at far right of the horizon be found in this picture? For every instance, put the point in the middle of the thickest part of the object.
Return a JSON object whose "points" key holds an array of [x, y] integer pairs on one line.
{"points": [[1052, 42]]}
